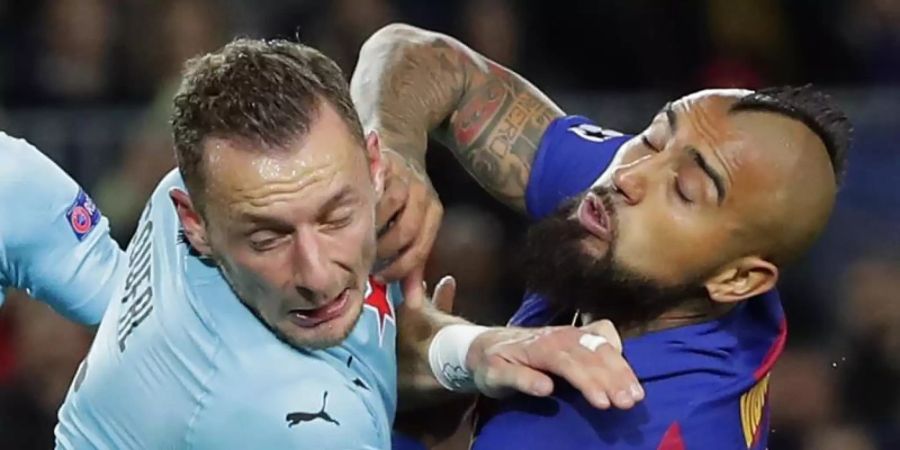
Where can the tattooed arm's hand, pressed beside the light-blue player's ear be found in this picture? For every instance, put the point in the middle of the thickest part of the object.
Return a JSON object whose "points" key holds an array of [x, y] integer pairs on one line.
{"points": [[407, 217]]}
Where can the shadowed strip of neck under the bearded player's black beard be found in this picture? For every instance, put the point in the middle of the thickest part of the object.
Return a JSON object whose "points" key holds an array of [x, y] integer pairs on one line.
{"points": [[688, 313]]}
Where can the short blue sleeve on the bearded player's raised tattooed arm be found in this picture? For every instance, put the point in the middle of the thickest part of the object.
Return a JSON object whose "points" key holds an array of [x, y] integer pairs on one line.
{"points": [[572, 154]]}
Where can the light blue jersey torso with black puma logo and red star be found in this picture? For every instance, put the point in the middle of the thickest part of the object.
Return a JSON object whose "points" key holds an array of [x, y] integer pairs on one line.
{"points": [[180, 363]]}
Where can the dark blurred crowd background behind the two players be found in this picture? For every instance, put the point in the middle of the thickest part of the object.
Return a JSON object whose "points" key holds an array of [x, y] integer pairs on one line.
{"points": [[89, 82]]}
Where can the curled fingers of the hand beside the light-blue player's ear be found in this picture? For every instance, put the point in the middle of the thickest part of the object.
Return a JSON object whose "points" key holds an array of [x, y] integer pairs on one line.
{"points": [[411, 225]]}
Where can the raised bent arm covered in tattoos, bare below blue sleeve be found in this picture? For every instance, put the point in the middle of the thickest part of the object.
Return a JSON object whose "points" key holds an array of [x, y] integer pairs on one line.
{"points": [[410, 83]]}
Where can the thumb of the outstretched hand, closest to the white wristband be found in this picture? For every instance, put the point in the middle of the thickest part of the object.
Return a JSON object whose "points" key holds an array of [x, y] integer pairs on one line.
{"points": [[503, 377]]}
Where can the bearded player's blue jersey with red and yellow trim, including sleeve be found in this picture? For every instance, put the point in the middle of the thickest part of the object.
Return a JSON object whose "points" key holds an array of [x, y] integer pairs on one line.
{"points": [[706, 384]]}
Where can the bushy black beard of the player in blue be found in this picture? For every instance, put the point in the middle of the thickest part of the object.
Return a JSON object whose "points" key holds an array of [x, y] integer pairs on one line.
{"points": [[557, 267]]}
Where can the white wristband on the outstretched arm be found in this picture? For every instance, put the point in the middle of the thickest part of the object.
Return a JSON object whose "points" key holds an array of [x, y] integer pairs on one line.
{"points": [[447, 356]]}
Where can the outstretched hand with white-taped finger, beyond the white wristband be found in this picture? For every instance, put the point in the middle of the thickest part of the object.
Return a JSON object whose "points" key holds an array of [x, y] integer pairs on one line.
{"points": [[521, 359]]}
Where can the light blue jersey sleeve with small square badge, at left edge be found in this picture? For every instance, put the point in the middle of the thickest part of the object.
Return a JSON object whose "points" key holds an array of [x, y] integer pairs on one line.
{"points": [[54, 242]]}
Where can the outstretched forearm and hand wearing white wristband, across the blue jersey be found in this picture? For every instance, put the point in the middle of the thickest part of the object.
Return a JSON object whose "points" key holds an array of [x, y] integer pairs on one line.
{"points": [[437, 352]]}
